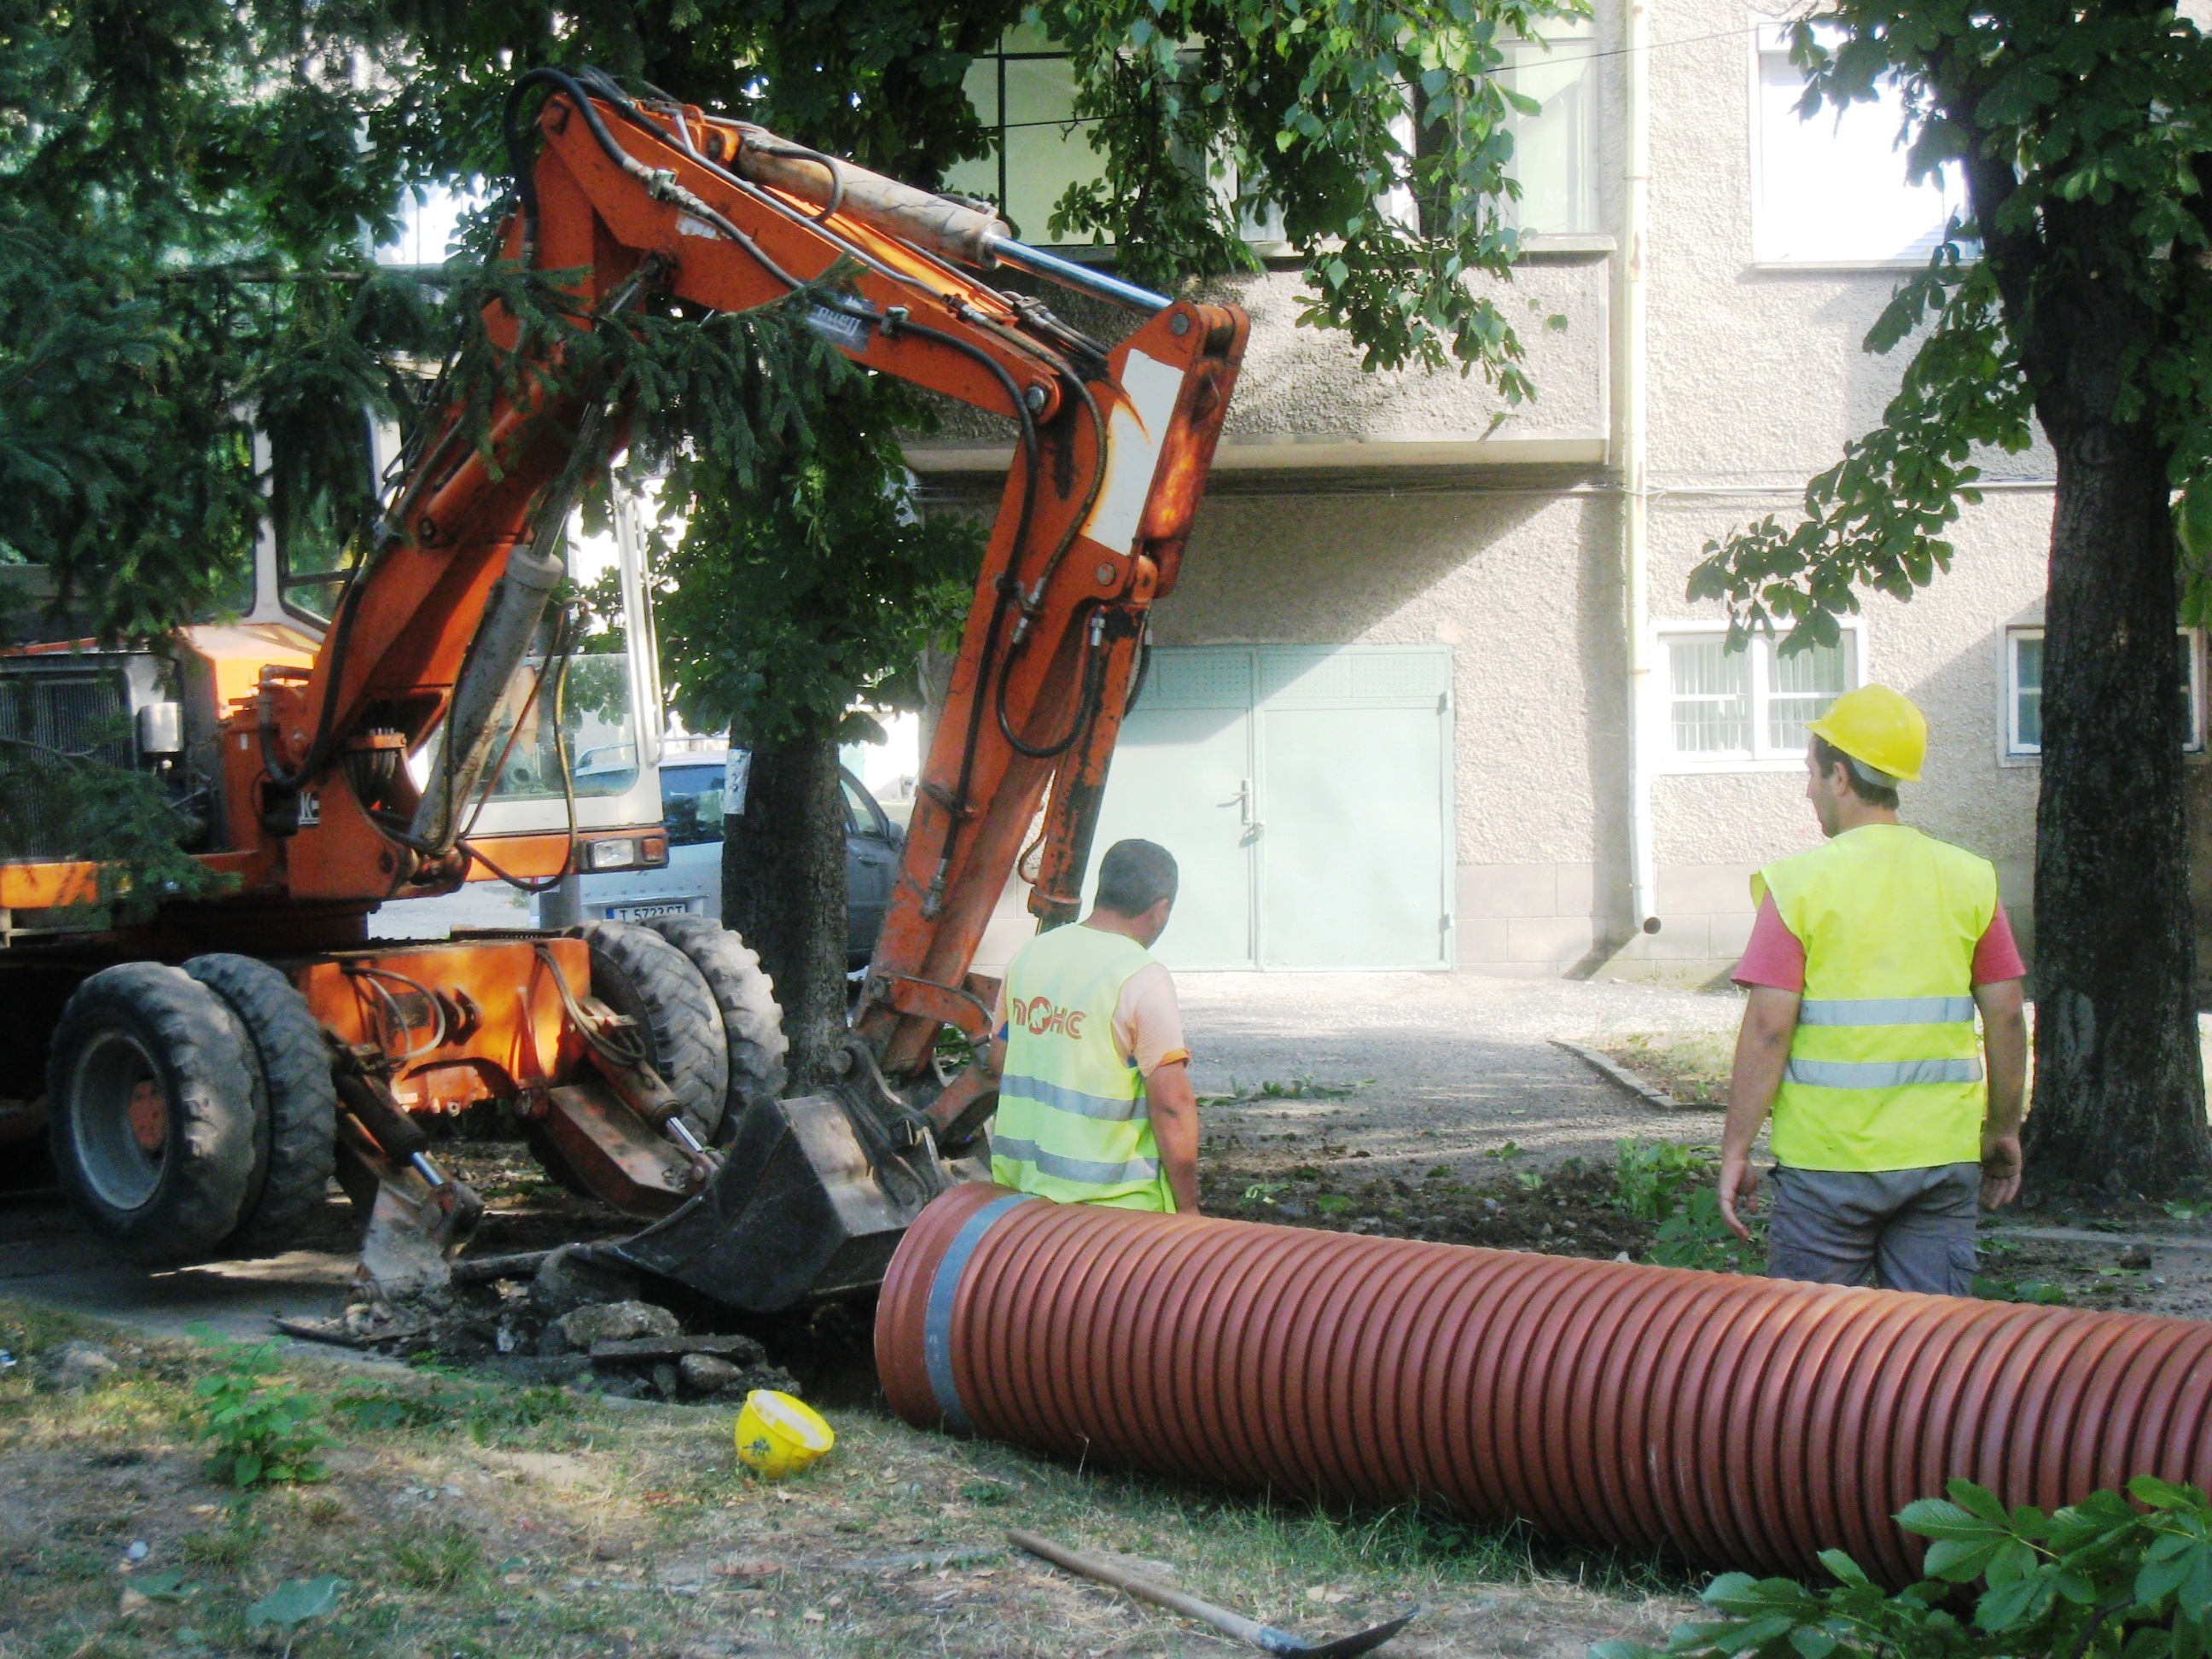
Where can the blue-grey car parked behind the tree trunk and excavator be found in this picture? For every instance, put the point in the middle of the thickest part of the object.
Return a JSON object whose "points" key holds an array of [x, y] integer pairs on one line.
{"points": [[696, 793]]}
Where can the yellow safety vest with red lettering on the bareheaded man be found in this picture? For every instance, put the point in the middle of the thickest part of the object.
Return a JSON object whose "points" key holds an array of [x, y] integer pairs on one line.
{"points": [[1074, 1123]]}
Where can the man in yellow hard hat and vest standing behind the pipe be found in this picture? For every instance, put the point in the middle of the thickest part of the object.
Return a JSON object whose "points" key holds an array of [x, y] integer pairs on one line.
{"points": [[1866, 970]]}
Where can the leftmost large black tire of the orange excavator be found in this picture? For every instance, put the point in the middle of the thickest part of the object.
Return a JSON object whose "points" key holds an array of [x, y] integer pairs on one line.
{"points": [[152, 1098]]}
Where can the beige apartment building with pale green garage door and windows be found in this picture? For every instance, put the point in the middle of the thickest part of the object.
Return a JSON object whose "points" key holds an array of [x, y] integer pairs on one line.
{"points": [[1432, 693]]}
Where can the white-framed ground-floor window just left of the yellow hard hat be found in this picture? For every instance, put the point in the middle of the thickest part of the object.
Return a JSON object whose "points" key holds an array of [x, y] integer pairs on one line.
{"points": [[1733, 709]]}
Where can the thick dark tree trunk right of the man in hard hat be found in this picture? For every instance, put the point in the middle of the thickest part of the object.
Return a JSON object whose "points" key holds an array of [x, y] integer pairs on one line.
{"points": [[2118, 1074]]}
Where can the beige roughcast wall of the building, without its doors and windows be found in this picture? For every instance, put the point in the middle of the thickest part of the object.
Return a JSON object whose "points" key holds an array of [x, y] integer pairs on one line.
{"points": [[1353, 508]]}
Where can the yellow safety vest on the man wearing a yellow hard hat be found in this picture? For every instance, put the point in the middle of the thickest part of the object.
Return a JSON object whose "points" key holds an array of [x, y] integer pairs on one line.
{"points": [[1886, 1067]]}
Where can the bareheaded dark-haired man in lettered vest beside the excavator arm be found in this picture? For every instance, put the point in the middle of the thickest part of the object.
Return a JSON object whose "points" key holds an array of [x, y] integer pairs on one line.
{"points": [[1094, 1078]]}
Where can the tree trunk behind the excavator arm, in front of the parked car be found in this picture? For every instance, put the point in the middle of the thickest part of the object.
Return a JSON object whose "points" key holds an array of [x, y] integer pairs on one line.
{"points": [[784, 893]]}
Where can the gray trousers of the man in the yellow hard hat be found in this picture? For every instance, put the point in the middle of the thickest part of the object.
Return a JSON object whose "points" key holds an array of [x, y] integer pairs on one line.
{"points": [[1897, 1229]]}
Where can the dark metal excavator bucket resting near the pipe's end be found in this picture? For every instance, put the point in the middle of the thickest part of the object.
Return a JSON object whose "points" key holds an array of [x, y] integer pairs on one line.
{"points": [[811, 1204]]}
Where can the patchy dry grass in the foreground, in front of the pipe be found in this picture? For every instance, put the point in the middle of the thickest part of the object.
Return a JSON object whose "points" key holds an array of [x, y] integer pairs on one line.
{"points": [[632, 1530]]}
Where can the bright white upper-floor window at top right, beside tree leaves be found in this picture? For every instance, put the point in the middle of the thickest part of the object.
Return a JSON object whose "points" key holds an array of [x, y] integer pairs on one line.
{"points": [[1830, 191]]}
